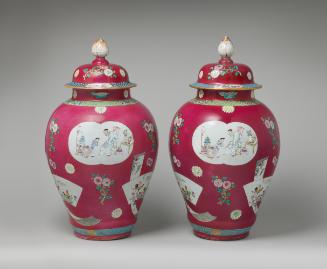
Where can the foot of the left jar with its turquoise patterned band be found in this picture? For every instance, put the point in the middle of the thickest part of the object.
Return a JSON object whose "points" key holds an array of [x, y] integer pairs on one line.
{"points": [[103, 234]]}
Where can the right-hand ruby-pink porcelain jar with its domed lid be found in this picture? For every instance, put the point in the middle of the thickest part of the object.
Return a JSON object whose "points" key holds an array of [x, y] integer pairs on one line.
{"points": [[224, 147]]}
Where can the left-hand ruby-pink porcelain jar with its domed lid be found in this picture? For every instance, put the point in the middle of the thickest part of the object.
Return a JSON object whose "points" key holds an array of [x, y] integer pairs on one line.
{"points": [[101, 146]]}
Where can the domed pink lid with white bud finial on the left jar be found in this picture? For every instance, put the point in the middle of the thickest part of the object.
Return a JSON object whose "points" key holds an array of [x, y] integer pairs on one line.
{"points": [[100, 74]]}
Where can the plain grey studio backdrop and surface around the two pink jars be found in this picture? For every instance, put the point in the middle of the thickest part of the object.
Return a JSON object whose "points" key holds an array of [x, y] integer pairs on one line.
{"points": [[163, 45]]}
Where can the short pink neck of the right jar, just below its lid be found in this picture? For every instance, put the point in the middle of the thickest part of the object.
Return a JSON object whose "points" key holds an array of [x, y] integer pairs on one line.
{"points": [[225, 95]]}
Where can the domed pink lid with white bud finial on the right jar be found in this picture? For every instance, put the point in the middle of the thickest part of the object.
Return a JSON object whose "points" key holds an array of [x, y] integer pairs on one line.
{"points": [[225, 75]]}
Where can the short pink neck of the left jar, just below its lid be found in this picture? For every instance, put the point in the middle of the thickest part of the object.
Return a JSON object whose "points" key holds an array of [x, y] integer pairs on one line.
{"points": [[100, 95]]}
